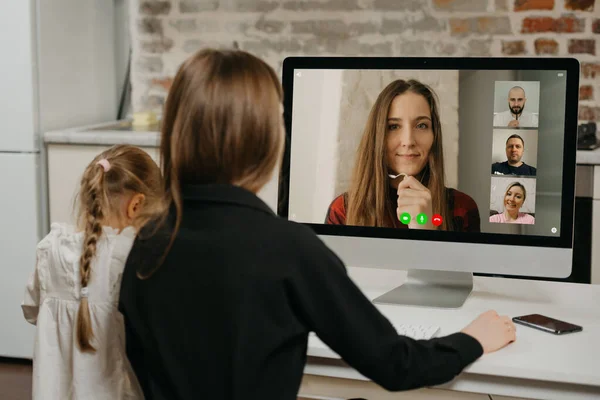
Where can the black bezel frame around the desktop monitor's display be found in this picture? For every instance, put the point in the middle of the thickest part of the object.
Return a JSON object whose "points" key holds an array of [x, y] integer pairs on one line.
{"points": [[569, 65]]}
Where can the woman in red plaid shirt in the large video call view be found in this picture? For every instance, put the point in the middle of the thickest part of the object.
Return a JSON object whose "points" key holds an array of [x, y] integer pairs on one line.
{"points": [[400, 168]]}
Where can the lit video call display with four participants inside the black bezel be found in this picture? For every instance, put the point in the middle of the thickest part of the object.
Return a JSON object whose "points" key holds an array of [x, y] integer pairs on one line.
{"points": [[463, 151]]}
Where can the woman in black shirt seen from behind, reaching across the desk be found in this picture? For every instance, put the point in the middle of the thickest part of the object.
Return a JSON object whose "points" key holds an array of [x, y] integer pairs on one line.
{"points": [[219, 295]]}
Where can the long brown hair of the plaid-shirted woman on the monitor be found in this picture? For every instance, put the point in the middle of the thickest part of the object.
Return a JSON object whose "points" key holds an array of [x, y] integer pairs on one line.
{"points": [[369, 194]]}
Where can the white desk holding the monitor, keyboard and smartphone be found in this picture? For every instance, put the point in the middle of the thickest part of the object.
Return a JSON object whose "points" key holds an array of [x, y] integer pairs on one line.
{"points": [[538, 365]]}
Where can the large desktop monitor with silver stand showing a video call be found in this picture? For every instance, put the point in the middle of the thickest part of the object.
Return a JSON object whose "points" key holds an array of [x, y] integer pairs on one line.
{"points": [[443, 167]]}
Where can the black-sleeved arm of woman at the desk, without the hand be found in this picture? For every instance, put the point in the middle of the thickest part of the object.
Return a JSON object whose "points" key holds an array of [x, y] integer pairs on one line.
{"points": [[331, 305]]}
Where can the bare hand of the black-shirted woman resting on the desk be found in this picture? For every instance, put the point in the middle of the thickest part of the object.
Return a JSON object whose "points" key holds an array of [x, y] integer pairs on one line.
{"points": [[492, 331]]}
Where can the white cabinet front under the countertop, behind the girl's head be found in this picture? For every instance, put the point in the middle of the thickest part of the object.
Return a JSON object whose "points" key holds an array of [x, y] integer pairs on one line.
{"points": [[66, 163]]}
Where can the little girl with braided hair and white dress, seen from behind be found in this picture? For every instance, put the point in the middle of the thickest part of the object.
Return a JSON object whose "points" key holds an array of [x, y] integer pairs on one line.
{"points": [[72, 296]]}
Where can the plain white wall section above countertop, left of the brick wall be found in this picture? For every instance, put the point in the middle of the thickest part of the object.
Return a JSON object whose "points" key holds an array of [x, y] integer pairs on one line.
{"points": [[76, 63]]}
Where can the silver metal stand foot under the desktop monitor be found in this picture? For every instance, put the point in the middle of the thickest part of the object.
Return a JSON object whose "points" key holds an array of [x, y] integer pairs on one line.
{"points": [[441, 289]]}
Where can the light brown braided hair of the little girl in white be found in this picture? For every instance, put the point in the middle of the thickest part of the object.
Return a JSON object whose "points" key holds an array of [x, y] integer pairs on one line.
{"points": [[130, 171]]}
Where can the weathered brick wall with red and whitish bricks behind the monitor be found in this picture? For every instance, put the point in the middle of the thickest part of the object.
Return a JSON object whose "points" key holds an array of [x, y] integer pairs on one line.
{"points": [[165, 32]]}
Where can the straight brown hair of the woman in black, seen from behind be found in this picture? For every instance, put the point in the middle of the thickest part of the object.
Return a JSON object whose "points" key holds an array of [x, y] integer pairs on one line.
{"points": [[222, 123]]}
